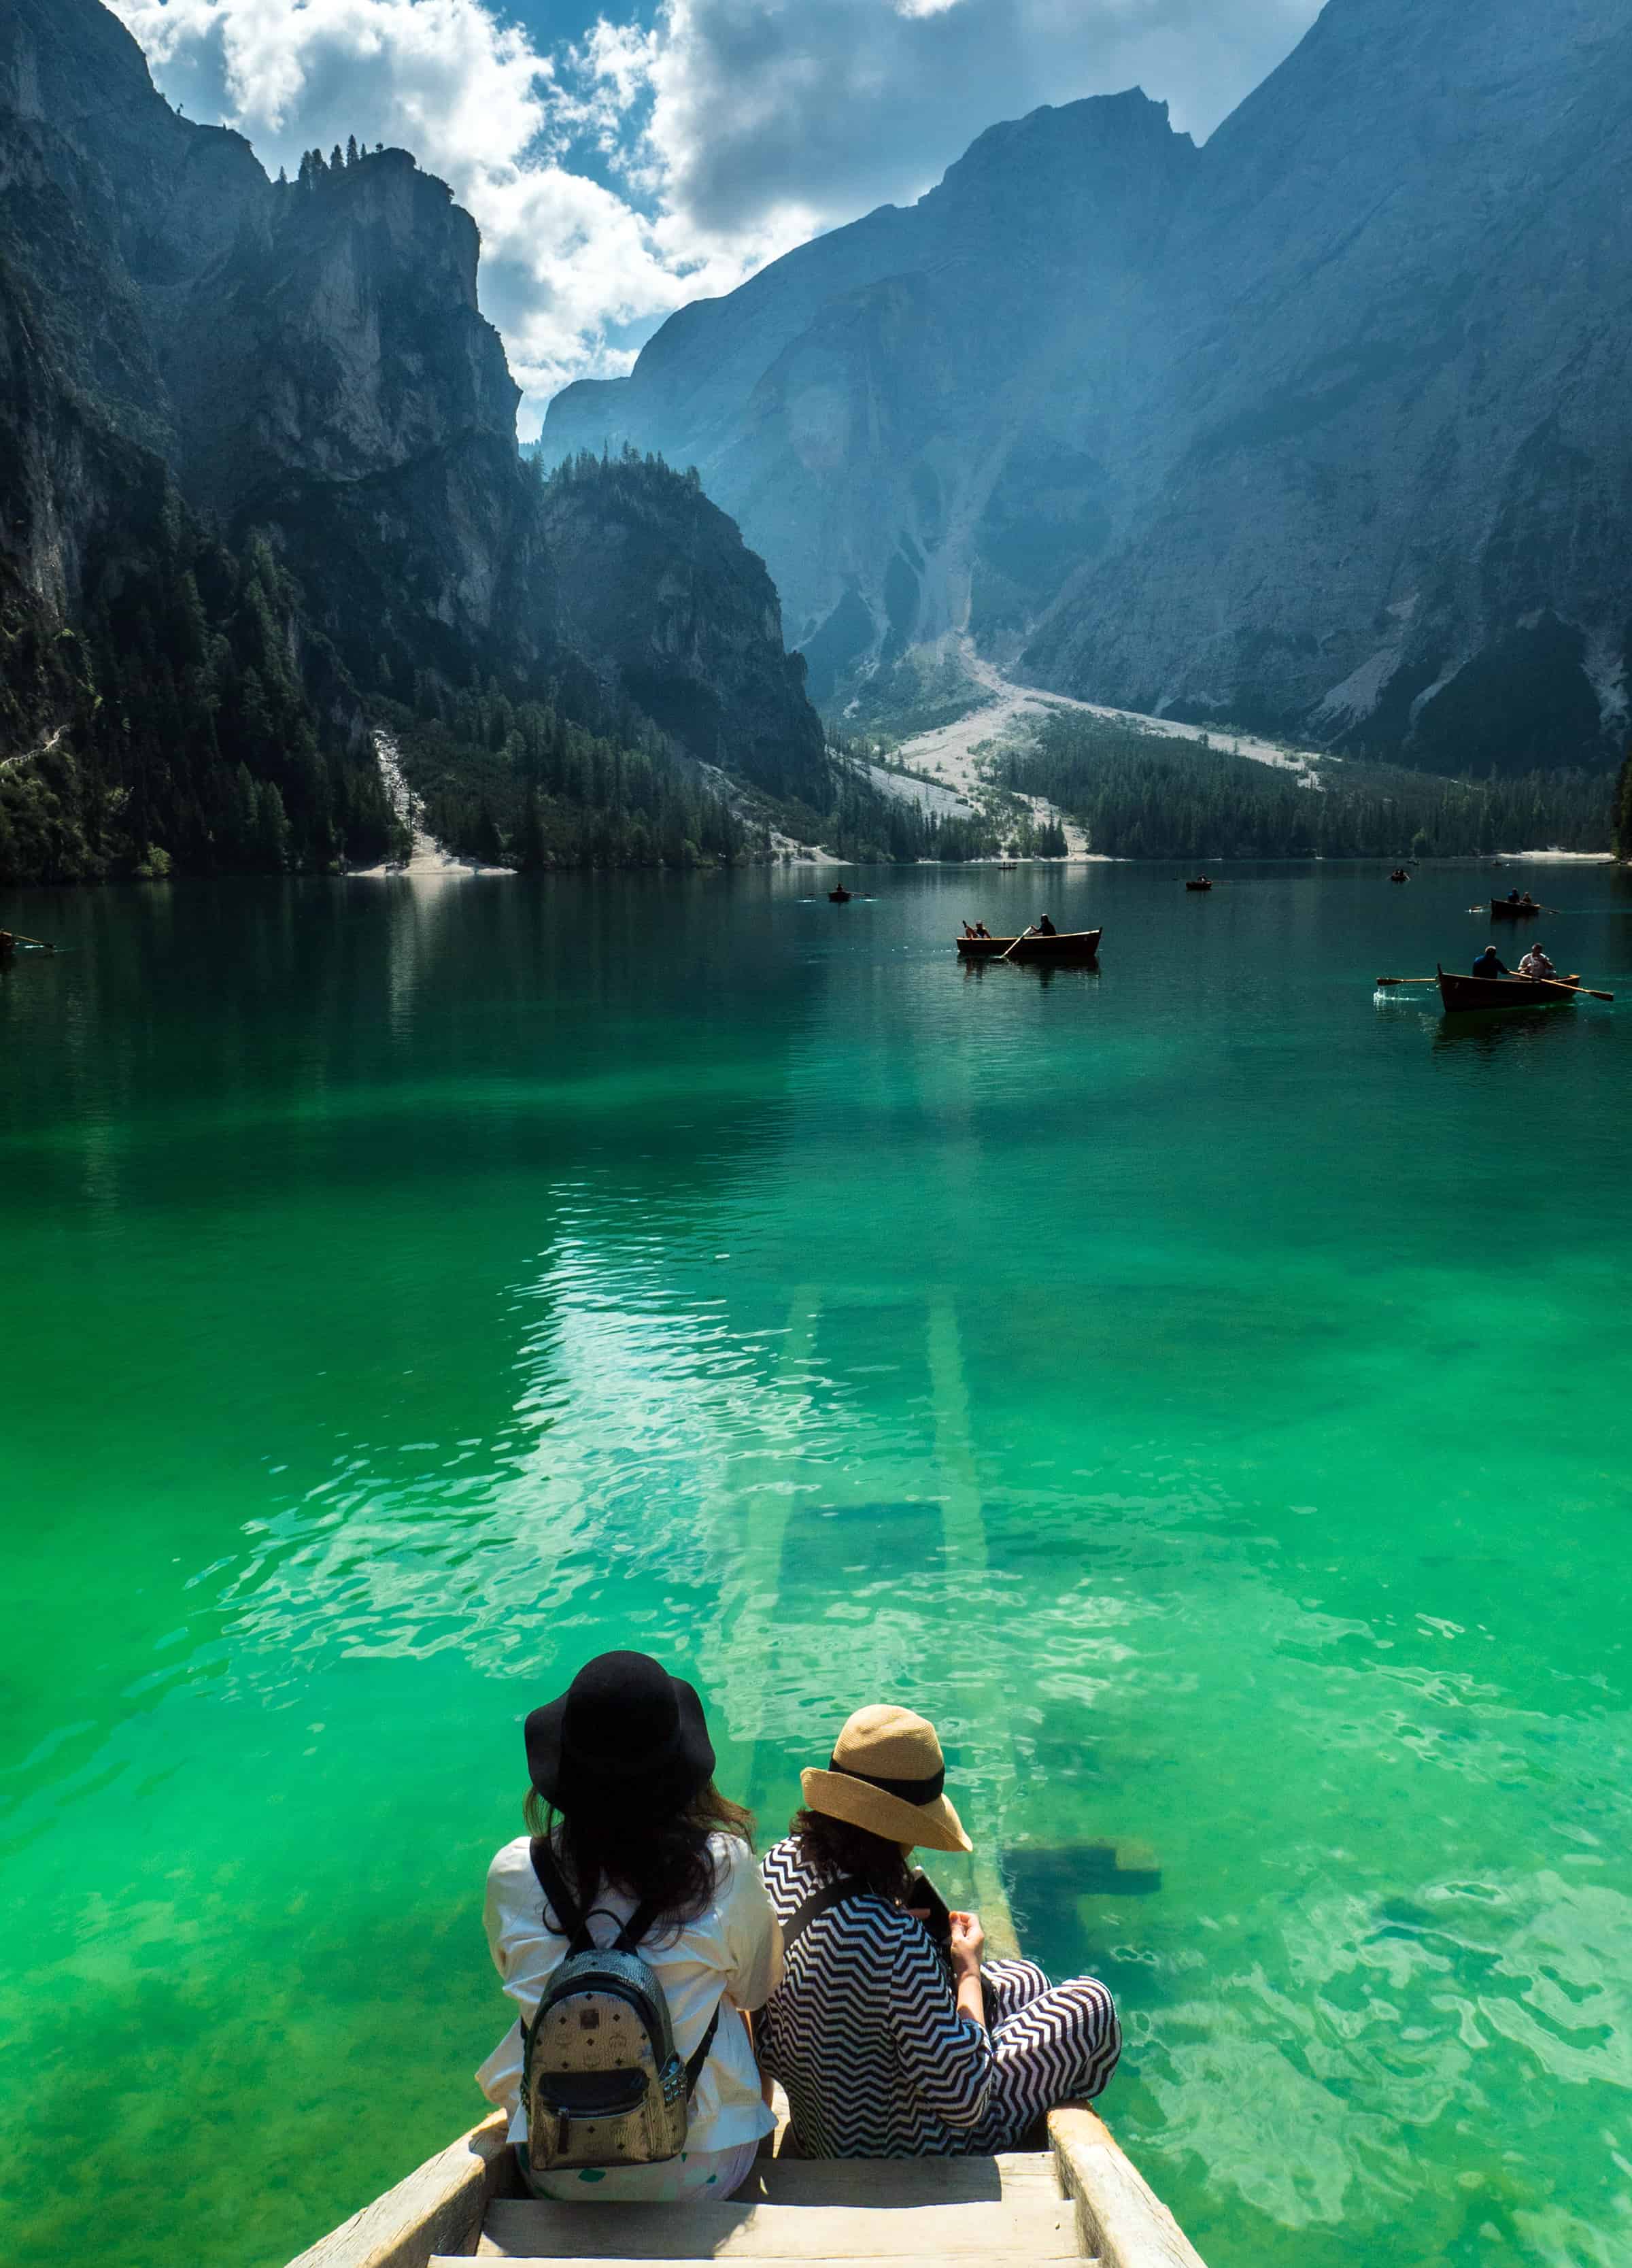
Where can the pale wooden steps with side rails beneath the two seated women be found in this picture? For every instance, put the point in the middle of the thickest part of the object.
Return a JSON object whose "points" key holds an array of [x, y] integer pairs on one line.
{"points": [[1073, 2199]]}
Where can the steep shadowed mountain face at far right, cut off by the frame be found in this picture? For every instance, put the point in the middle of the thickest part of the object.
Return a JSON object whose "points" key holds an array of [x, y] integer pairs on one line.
{"points": [[1386, 486]]}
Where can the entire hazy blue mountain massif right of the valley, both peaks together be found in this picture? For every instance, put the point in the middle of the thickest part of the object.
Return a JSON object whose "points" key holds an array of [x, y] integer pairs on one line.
{"points": [[1320, 428]]}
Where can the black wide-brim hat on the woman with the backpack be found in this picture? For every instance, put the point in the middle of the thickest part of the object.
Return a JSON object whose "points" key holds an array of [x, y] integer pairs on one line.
{"points": [[624, 1734]]}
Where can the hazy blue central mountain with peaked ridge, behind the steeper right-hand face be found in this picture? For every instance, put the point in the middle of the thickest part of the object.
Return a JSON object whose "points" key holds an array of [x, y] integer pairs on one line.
{"points": [[865, 407]]}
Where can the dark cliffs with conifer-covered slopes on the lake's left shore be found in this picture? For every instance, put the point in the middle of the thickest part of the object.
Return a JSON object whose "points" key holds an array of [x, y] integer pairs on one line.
{"points": [[260, 489]]}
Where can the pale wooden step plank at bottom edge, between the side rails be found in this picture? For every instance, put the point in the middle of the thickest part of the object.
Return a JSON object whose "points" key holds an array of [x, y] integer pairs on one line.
{"points": [[522, 2228]]}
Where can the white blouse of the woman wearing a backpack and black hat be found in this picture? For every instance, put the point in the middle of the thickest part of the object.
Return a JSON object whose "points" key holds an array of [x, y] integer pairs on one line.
{"points": [[731, 1952]]}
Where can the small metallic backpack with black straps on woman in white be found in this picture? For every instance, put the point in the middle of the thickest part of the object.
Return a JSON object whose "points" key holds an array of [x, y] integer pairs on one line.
{"points": [[602, 2079]]}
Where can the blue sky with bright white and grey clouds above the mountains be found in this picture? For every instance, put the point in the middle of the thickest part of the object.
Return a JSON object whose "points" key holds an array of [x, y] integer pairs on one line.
{"points": [[627, 160]]}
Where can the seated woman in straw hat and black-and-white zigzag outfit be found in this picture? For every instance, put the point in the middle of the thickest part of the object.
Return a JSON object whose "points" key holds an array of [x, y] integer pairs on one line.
{"points": [[887, 2042]]}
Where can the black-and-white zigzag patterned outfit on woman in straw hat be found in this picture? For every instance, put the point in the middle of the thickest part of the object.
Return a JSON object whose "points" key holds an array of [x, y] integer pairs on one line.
{"points": [[876, 2060]]}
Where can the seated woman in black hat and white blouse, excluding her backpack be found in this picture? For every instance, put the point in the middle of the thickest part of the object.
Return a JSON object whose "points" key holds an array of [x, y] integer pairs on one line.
{"points": [[624, 1797]]}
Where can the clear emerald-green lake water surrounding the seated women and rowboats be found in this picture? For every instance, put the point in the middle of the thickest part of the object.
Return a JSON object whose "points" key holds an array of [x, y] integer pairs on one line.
{"points": [[1202, 1387]]}
